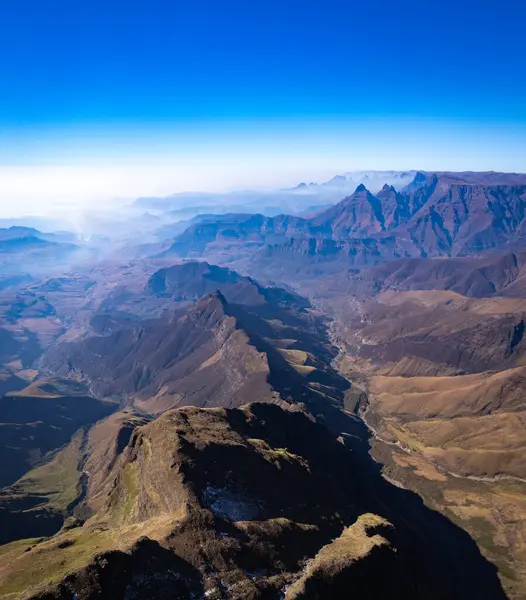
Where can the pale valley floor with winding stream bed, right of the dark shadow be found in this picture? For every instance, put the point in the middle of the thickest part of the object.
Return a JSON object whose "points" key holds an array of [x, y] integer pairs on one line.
{"points": [[491, 508]]}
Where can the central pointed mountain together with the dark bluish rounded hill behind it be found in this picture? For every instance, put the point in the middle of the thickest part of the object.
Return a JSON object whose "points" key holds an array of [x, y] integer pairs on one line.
{"points": [[211, 353]]}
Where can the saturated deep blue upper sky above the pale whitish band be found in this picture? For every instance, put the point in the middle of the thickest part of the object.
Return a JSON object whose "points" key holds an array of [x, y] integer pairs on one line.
{"points": [[79, 61]]}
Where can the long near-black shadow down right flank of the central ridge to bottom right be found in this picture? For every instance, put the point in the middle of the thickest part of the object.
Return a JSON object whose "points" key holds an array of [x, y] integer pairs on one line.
{"points": [[443, 551]]}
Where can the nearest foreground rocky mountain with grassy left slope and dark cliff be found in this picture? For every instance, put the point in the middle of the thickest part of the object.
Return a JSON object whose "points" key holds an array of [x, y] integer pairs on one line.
{"points": [[234, 504]]}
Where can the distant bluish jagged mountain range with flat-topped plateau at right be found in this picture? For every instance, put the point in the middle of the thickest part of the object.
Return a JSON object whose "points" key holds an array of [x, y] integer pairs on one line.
{"points": [[437, 215]]}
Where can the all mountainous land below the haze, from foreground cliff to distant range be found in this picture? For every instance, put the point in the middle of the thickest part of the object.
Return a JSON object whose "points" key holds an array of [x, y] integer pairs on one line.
{"points": [[265, 424]]}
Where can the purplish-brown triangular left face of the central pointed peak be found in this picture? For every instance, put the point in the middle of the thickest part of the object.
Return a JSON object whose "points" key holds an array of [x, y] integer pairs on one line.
{"points": [[194, 356]]}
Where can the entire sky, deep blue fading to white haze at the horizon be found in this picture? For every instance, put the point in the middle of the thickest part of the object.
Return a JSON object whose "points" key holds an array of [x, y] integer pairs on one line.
{"points": [[272, 90]]}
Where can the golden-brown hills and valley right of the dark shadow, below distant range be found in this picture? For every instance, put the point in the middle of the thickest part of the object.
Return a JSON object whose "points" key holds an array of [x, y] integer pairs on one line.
{"points": [[444, 376]]}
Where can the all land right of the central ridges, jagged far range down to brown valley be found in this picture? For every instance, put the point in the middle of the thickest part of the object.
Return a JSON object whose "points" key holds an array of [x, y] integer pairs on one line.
{"points": [[430, 325]]}
